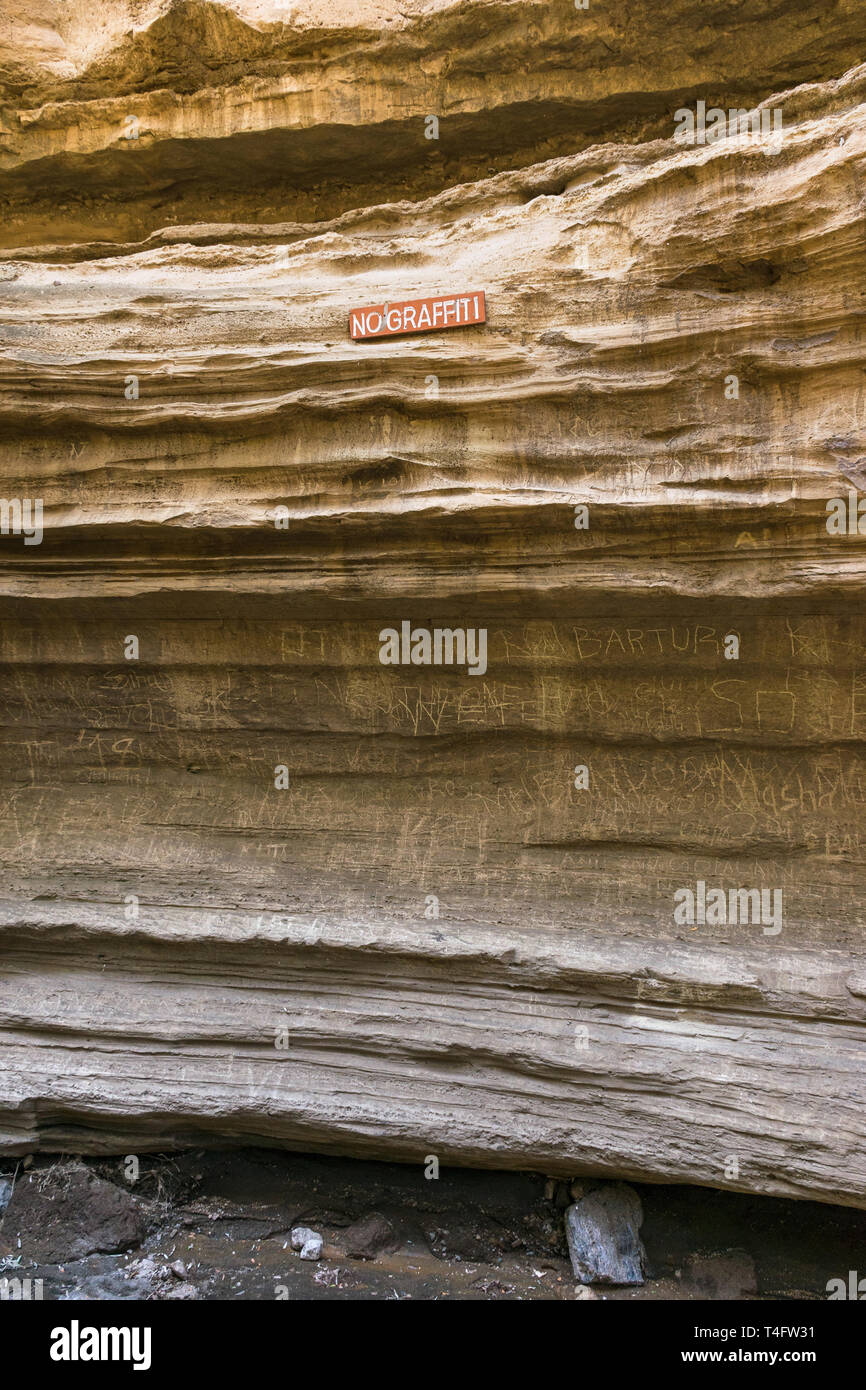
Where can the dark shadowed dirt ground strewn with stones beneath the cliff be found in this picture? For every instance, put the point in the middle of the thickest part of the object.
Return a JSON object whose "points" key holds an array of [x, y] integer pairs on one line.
{"points": [[216, 1227]]}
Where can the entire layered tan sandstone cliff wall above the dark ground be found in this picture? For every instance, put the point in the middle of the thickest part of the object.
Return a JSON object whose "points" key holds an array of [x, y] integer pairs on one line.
{"points": [[439, 939]]}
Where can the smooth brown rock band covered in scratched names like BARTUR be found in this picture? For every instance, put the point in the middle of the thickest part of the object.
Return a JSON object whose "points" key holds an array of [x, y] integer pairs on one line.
{"points": [[404, 778]]}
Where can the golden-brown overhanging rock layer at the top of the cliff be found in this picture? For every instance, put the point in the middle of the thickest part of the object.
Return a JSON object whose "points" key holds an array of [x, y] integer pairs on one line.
{"points": [[180, 111]]}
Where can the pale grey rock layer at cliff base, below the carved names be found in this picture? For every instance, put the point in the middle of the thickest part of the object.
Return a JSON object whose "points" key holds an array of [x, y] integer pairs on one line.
{"points": [[477, 1046]]}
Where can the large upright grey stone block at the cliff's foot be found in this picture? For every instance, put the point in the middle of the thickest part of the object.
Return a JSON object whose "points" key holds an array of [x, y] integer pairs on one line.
{"points": [[604, 1242]]}
